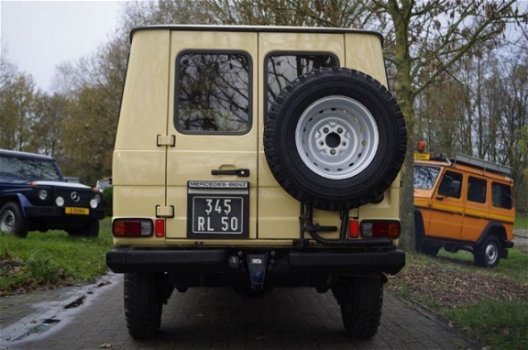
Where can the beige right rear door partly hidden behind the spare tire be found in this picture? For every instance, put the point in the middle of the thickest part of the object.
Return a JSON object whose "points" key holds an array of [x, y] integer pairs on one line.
{"points": [[278, 212]]}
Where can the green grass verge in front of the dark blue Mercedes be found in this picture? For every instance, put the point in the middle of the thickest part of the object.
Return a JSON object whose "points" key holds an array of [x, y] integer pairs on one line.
{"points": [[45, 260]]}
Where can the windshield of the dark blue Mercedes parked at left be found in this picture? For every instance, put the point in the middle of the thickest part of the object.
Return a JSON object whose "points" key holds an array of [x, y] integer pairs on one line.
{"points": [[28, 169]]}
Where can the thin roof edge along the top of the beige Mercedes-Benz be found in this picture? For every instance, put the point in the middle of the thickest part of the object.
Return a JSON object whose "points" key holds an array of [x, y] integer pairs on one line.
{"points": [[254, 29]]}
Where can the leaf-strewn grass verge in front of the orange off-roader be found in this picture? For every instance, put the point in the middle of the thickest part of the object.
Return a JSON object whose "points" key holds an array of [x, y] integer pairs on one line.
{"points": [[490, 305]]}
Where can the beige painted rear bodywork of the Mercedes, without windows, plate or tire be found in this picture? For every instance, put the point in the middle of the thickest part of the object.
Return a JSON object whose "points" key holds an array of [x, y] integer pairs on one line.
{"points": [[147, 111]]}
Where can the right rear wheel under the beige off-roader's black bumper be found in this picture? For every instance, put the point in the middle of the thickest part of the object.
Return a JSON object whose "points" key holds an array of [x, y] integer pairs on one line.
{"points": [[361, 300]]}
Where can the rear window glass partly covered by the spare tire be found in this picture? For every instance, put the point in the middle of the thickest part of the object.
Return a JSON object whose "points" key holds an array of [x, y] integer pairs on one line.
{"points": [[283, 69]]}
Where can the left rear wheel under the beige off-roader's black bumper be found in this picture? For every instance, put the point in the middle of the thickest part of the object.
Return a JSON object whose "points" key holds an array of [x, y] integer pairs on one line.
{"points": [[143, 304]]}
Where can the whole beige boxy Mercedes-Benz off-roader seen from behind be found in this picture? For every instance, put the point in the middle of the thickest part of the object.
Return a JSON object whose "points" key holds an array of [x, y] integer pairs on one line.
{"points": [[254, 158]]}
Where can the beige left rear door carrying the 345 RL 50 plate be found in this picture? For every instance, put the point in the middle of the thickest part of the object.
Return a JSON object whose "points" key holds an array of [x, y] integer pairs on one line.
{"points": [[212, 168]]}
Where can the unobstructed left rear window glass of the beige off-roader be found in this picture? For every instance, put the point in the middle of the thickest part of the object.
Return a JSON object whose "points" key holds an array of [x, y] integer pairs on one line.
{"points": [[213, 93]]}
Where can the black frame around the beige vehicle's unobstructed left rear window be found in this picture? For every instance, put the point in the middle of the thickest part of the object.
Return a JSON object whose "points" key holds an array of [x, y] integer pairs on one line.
{"points": [[249, 58]]}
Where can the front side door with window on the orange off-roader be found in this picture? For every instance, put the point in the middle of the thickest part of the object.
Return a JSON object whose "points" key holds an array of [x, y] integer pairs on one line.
{"points": [[448, 207]]}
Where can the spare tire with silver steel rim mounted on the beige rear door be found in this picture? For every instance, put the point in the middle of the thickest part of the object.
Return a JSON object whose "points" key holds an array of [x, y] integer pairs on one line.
{"points": [[335, 139]]}
